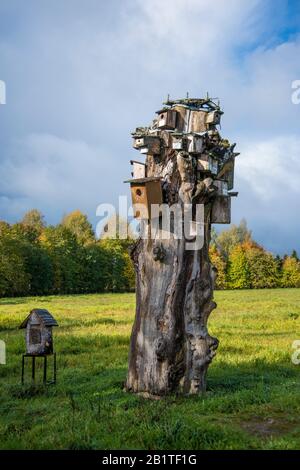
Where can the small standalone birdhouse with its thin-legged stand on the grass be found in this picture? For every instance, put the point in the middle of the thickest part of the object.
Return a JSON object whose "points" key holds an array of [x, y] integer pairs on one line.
{"points": [[39, 339]]}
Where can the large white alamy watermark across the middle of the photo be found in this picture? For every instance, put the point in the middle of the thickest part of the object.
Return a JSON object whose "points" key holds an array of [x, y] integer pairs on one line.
{"points": [[157, 222]]}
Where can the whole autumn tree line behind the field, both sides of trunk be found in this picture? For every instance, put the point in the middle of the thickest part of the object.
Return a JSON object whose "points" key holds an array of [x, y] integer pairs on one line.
{"points": [[36, 259]]}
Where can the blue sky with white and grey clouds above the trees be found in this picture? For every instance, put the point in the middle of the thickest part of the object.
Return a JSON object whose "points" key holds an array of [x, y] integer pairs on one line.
{"points": [[80, 75]]}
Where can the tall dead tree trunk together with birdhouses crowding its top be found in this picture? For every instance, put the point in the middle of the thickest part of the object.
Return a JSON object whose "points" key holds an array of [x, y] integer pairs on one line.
{"points": [[170, 348]]}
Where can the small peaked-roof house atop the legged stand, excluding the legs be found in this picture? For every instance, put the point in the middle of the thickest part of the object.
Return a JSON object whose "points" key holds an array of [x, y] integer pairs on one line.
{"points": [[38, 335]]}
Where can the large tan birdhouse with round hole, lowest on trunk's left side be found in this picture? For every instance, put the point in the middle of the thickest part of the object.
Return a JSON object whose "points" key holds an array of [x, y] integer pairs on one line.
{"points": [[144, 193]]}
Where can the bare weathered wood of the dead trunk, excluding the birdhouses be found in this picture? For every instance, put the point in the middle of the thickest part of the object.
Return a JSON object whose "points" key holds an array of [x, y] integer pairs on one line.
{"points": [[170, 348]]}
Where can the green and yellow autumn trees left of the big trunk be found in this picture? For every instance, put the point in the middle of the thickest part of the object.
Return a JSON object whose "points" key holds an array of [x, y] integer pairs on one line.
{"points": [[36, 259]]}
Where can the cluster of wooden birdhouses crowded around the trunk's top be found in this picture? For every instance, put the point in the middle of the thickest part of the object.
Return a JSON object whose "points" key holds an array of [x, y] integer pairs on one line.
{"points": [[186, 125]]}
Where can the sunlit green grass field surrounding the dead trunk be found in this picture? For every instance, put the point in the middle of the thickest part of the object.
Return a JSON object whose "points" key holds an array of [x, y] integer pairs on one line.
{"points": [[253, 397]]}
